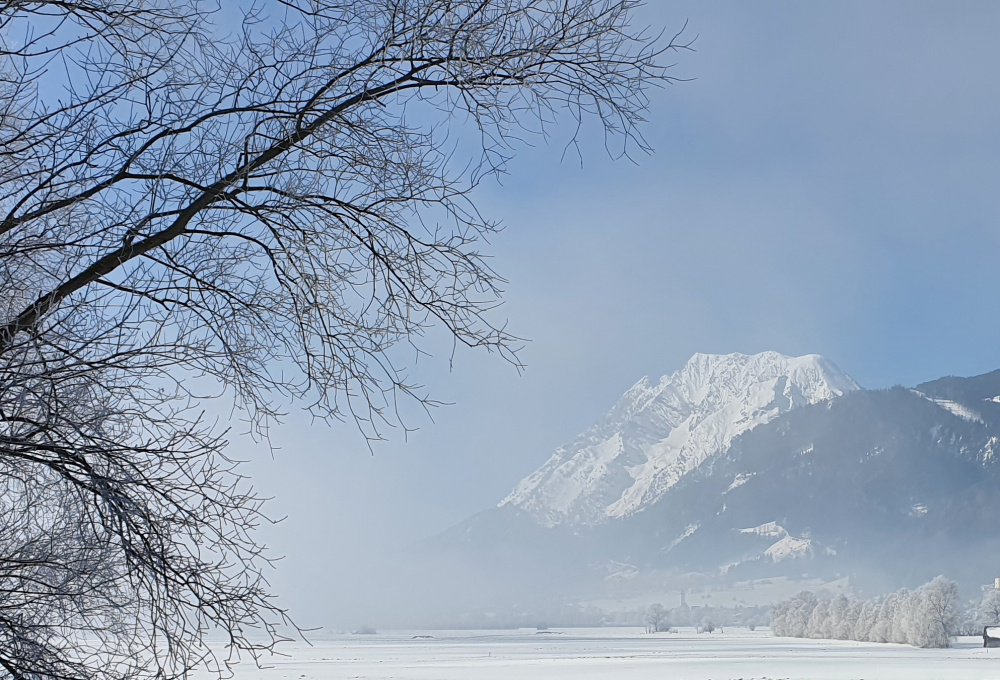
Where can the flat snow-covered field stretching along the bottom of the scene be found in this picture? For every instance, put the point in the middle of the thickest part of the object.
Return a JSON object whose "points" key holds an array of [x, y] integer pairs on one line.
{"points": [[628, 654]]}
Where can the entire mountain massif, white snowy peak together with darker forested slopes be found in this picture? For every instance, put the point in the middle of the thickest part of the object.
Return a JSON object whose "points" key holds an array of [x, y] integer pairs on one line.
{"points": [[740, 467]]}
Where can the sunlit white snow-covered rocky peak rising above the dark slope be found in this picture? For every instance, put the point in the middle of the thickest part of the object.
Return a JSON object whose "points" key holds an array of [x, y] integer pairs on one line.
{"points": [[657, 433]]}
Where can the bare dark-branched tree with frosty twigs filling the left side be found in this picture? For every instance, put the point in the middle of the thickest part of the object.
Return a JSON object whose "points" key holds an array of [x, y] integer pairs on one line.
{"points": [[262, 213]]}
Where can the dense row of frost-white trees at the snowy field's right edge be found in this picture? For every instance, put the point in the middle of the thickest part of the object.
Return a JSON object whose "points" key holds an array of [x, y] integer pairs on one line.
{"points": [[925, 617]]}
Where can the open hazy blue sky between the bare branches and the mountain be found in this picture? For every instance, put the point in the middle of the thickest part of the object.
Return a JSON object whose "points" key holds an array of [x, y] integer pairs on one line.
{"points": [[827, 183]]}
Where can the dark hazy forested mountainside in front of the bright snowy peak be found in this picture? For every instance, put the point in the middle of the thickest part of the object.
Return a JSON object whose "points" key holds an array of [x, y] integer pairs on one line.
{"points": [[891, 486]]}
